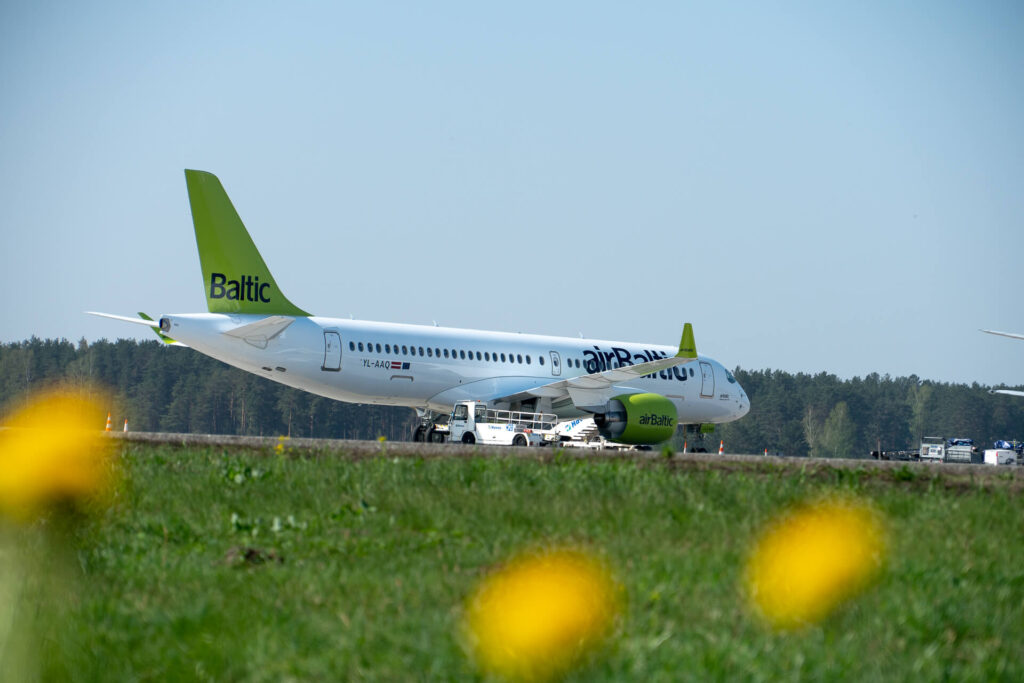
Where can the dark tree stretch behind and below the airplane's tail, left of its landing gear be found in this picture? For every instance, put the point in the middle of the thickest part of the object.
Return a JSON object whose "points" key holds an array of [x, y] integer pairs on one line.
{"points": [[161, 389]]}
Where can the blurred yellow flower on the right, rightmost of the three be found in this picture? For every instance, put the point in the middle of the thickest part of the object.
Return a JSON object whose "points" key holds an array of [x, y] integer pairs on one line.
{"points": [[813, 560]]}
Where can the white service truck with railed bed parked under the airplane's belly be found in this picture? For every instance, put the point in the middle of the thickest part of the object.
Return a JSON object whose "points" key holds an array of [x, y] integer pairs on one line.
{"points": [[473, 422]]}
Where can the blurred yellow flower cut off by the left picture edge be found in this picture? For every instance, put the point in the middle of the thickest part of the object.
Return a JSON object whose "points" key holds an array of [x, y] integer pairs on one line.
{"points": [[53, 450]]}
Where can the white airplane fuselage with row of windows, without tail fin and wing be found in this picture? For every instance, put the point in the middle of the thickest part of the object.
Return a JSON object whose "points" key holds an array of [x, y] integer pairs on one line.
{"points": [[432, 368]]}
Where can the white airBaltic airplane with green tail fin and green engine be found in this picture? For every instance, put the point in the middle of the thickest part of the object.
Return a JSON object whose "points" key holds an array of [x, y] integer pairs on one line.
{"points": [[637, 394]]}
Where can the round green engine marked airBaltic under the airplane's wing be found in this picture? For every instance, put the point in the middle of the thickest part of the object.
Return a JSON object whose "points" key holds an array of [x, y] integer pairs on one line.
{"points": [[638, 419]]}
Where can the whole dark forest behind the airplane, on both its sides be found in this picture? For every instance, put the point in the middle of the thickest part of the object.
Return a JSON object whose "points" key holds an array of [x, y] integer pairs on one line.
{"points": [[161, 389]]}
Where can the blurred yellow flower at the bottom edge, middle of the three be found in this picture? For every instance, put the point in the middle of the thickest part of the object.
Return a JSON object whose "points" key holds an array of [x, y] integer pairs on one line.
{"points": [[538, 616]]}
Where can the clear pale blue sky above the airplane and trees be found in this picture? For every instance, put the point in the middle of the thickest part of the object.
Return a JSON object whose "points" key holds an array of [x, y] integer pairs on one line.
{"points": [[816, 187]]}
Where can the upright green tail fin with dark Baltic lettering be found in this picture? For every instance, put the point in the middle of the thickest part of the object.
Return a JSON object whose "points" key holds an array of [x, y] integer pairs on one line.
{"points": [[235, 276]]}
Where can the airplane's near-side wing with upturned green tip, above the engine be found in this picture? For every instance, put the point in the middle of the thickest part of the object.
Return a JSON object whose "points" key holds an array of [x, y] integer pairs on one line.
{"points": [[592, 392]]}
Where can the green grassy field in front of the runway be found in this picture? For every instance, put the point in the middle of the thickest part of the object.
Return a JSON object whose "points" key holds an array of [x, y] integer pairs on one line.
{"points": [[217, 566]]}
